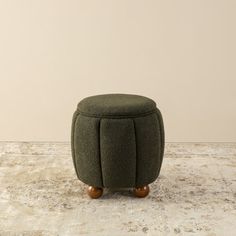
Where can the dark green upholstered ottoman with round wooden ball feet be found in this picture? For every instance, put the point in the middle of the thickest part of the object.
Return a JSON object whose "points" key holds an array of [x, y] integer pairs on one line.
{"points": [[117, 142]]}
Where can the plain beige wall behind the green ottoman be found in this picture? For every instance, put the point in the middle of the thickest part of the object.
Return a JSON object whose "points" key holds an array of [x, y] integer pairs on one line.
{"points": [[180, 53]]}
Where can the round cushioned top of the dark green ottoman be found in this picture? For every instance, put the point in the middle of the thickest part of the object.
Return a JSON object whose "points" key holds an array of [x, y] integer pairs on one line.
{"points": [[116, 105]]}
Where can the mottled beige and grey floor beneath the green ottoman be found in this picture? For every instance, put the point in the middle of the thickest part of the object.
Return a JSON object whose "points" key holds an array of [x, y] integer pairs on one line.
{"points": [[194, 195]]}
